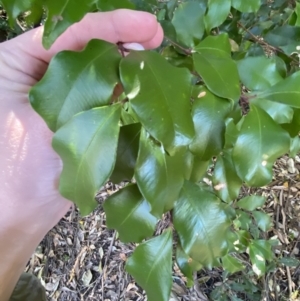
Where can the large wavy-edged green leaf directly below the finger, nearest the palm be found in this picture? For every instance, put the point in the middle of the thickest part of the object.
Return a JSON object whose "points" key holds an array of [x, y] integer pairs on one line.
{"points": [[76, 82]]}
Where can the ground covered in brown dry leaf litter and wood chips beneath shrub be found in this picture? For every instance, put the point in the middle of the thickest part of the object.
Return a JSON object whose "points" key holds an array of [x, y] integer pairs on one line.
{"points": [[80, 259]]}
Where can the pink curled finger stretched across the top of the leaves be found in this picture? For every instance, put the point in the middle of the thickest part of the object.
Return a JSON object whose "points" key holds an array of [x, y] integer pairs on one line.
{"points": [[117, 26]]}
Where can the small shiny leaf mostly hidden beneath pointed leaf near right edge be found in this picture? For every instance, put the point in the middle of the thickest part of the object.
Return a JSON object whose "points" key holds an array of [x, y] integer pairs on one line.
{"points": [[281, 113]]}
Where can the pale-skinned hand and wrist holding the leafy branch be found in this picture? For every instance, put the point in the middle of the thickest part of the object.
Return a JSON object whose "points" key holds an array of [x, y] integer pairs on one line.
{"points": [[30, 204]]}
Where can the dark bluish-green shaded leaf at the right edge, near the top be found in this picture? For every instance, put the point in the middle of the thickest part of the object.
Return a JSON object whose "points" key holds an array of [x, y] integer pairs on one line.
{"points": [[285, 37]]}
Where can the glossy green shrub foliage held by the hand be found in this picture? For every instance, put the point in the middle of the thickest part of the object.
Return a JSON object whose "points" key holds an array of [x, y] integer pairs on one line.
{"points": [[186, 126]]}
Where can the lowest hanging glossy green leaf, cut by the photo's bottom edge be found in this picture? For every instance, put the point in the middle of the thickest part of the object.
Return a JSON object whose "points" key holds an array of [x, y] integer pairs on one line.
{"points": [[151, 266]]}
